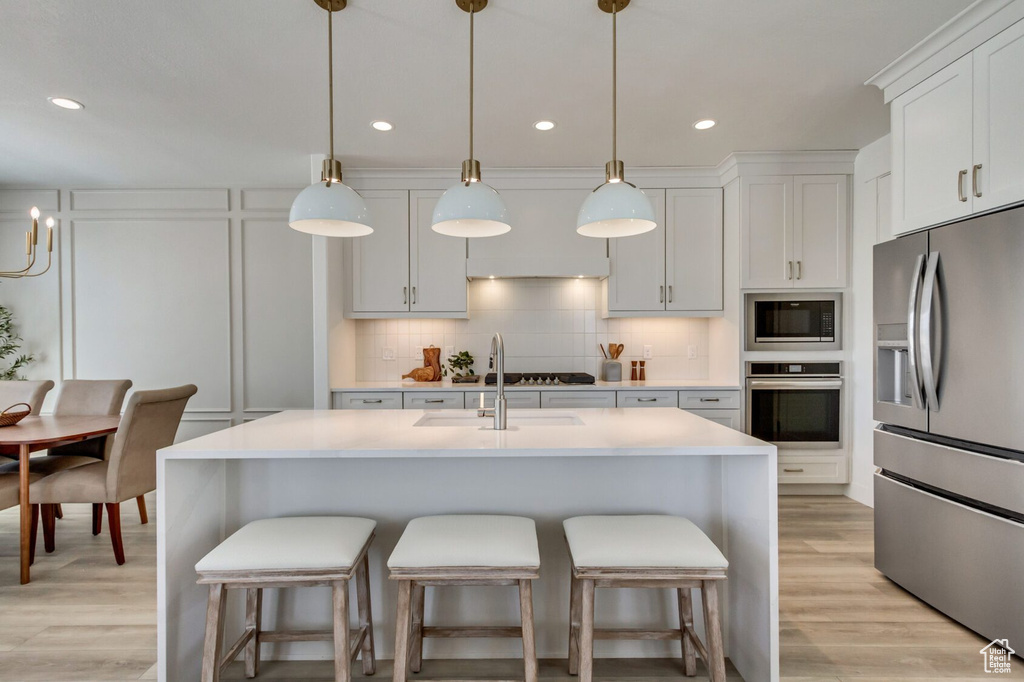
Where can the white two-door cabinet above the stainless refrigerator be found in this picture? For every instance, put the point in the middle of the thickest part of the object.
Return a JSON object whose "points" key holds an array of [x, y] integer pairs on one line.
{"points": [[958, 147]]}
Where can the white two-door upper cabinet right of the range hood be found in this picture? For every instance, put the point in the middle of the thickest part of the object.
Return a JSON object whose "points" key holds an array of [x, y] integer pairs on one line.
{"points": [[675, 270]]}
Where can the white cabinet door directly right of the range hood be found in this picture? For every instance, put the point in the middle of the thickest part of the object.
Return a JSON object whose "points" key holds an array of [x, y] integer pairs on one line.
{"points": [[637, 278]]}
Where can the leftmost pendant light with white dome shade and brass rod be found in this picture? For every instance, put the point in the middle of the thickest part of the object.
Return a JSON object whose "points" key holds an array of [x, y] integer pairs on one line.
{"points": [[330, 208]]}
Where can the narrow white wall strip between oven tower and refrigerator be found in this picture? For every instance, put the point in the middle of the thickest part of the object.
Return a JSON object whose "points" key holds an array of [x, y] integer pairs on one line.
{"points": [[871, 226]]}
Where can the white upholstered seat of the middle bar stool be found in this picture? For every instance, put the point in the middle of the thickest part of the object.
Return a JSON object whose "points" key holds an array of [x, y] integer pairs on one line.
{"points": [[467, 541]]}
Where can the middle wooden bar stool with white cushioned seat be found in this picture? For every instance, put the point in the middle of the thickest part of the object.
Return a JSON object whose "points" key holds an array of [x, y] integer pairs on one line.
{"points": [[438, 551]]}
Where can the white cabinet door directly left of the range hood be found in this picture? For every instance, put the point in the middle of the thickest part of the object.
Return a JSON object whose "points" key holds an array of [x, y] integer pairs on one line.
{"points": [[438, 267]]}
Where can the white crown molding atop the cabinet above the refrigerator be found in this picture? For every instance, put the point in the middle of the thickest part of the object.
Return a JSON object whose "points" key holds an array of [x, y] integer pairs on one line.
{"points": [[959, 36]]}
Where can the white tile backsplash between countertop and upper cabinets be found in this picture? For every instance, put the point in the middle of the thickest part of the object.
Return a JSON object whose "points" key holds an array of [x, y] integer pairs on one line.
{"points": [[548, 325]]}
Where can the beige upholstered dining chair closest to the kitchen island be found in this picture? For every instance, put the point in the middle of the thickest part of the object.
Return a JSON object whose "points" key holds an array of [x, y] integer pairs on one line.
{"points": [[150, 422]]}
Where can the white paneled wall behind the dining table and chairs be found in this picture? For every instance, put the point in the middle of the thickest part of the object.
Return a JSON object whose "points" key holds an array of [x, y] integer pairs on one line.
{"points": [[169, 287]]}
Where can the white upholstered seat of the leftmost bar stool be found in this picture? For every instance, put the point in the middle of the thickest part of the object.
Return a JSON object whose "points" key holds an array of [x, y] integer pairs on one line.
{"points": [[301, 543]]}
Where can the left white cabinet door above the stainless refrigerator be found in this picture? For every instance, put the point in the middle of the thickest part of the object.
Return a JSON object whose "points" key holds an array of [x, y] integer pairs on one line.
{"points": [[932, 148]]}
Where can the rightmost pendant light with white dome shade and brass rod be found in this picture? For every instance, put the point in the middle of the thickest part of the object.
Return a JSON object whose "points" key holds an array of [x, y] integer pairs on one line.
{"points": [[617, 208]]}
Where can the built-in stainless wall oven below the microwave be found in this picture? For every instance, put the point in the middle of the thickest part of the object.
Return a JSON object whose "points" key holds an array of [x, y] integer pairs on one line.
{"points": [[796, 405]]}
